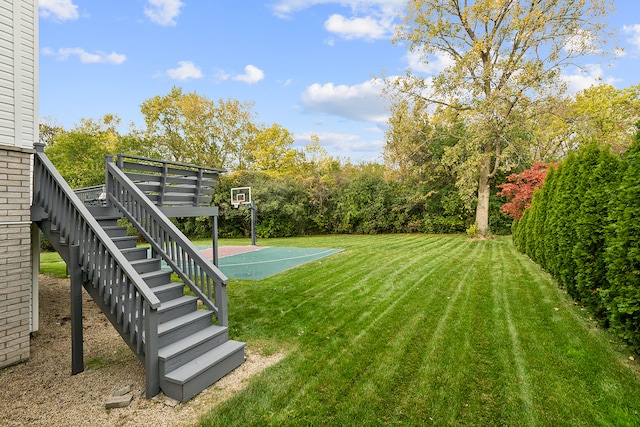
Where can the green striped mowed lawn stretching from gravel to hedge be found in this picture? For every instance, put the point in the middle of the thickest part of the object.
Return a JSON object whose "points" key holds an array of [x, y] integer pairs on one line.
{"points": [[424, 330]]}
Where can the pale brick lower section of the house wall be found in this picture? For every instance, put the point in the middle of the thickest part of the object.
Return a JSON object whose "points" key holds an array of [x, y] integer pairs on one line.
{"points": [[15, 255]]}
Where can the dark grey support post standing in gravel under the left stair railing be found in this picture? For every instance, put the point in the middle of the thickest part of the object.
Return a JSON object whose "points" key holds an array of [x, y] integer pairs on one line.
{"points": [[77, 357]]}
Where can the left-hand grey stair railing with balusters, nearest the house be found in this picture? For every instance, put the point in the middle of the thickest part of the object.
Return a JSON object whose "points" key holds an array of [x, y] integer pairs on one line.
{"points": [[103, 265]]}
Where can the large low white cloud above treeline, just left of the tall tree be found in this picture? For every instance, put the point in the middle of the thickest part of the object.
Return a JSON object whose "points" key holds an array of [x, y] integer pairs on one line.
{"points": [[362, 102]]}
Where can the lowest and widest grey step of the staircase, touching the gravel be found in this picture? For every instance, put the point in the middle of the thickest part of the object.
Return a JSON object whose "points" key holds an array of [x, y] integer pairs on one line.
{"points": [[193, 377]]}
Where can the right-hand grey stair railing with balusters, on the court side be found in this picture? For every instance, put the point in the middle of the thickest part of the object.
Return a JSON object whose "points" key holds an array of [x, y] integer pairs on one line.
{"points": [[203, 278]]}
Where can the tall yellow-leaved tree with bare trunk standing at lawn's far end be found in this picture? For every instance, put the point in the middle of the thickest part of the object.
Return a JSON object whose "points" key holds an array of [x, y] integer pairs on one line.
{"points": [[503, 62]]}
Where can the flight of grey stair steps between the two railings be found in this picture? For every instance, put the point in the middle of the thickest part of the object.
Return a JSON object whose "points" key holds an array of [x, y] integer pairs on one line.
{"points": [[192, 352]]}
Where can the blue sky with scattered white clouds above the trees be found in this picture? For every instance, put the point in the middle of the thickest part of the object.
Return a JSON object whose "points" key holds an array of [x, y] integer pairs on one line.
{"points": [[309, 65]]}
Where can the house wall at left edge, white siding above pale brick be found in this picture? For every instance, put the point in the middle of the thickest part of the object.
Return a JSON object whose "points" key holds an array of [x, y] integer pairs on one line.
{"points": [[18, 132]]}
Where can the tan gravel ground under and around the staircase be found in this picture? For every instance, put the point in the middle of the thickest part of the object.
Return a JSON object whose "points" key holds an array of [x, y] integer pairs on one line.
{"points": [[42, 391]]}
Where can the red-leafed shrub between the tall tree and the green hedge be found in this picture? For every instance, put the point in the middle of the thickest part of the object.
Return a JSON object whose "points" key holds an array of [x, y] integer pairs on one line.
{"points": [[520, 187]]}
